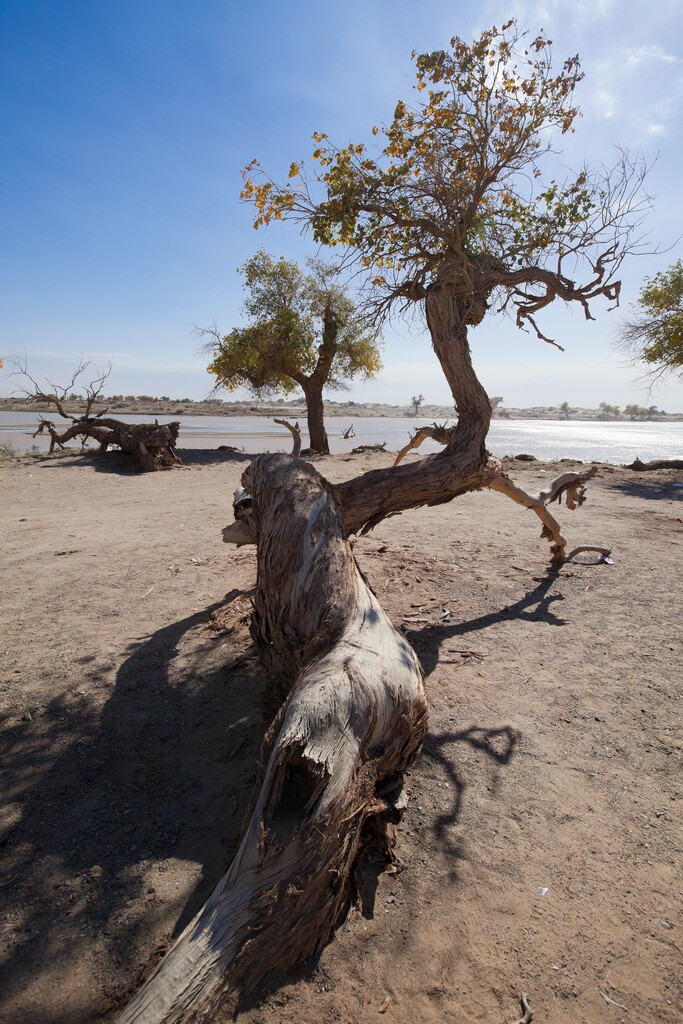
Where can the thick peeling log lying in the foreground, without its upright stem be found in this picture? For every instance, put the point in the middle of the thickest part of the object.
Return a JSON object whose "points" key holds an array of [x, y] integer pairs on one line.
{"points": [[353, 721]]}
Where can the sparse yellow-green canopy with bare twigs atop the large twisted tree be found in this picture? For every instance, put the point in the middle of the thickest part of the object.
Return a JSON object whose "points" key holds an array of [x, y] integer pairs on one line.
{"points": [[457, 190]]}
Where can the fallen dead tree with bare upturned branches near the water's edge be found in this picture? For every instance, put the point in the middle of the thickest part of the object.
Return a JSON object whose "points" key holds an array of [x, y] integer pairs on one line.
{"points": [[151, 446]]}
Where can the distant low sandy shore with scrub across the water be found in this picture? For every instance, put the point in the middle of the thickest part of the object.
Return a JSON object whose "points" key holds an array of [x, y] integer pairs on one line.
{"points": [[149, 406]]}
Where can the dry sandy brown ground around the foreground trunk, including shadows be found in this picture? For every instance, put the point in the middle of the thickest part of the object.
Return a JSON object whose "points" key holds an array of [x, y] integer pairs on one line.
{"points": [[541, 848]]}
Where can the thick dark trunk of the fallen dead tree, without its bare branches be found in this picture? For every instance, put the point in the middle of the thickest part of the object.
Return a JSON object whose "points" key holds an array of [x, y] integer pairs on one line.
{"points": [[151, 446]]}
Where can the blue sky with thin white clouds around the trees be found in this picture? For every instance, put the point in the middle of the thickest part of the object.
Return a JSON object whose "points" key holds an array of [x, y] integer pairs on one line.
{"points": [[126, 125]]}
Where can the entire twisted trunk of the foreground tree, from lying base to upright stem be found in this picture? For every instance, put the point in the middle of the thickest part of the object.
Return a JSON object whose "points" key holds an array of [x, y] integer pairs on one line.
{"points": [[354, 713]]}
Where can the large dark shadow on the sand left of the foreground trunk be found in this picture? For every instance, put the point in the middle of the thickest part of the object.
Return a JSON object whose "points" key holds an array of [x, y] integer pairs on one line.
{"points": [[163, 774]]}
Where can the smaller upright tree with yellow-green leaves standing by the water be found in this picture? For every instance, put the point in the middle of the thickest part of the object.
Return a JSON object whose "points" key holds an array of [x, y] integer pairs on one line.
{"points": [[305, 331]]}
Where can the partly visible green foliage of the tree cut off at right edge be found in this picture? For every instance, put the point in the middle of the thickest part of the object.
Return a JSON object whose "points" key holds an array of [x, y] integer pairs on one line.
{"points": [[655, 333]]}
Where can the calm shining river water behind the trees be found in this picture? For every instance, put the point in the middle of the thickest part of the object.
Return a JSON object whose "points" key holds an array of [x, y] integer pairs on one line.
{"points": [[588, 441]]}
